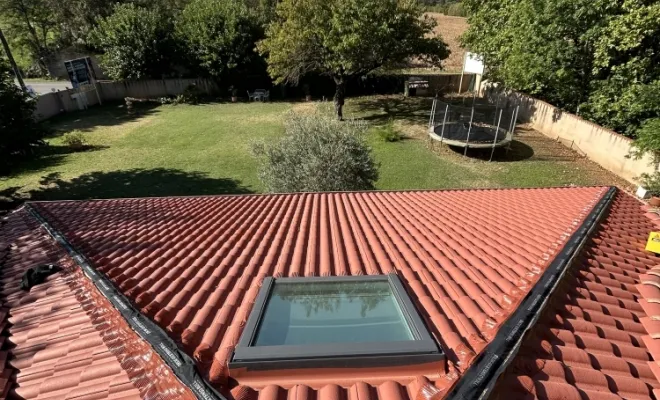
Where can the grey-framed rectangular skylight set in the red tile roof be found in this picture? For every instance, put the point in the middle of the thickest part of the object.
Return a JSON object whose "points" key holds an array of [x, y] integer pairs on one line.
{"points": [[334, 321]]}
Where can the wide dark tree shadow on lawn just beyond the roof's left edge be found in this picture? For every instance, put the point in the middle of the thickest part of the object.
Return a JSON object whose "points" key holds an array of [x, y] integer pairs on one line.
{"points": [[134, 183]]}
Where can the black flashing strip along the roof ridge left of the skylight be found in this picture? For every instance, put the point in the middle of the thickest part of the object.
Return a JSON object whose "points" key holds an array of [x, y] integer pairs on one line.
{"points": [[181, 364]]}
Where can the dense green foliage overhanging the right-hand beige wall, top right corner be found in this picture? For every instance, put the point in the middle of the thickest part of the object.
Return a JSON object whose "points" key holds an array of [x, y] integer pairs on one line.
{"points": [[600, 57]]}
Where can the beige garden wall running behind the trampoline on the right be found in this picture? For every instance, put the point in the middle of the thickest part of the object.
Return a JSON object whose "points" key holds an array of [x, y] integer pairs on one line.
{"points": [[605, 147]]}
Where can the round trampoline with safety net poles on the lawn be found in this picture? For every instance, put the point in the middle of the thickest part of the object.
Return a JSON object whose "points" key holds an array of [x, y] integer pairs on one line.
{"points": [[479, 126]]}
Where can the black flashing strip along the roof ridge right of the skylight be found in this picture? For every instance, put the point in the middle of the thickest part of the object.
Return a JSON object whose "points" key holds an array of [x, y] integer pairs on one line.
{"points": [[480, 378]]}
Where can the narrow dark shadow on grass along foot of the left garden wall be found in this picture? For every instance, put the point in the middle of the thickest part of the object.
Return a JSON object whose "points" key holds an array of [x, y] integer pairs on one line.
{"points": [[106, 115]]}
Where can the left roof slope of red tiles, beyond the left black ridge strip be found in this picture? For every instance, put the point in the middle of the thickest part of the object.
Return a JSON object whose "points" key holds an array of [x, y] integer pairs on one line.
{"points": [[62, 340]]}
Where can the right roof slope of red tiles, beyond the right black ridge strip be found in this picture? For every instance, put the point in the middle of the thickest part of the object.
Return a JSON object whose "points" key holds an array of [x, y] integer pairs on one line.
{"points": [[592, 341]]}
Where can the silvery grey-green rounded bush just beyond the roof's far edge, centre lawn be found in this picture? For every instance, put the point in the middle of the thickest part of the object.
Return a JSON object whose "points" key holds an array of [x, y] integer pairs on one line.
{"points": [[318, 154]]}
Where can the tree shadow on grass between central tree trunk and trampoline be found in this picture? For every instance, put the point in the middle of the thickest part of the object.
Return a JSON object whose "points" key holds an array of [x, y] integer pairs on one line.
{"points": [[414, 110]]}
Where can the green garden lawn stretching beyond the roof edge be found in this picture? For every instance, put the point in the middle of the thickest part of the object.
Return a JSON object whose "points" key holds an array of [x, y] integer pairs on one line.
{"points": [[205, 149]]}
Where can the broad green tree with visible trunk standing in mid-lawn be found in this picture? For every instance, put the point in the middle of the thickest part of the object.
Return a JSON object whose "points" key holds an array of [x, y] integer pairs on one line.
{"points": [[346, 38]]}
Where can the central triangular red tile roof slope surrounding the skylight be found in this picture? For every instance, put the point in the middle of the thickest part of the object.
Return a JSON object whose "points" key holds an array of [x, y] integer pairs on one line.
{"points": [[195, 264]]}
